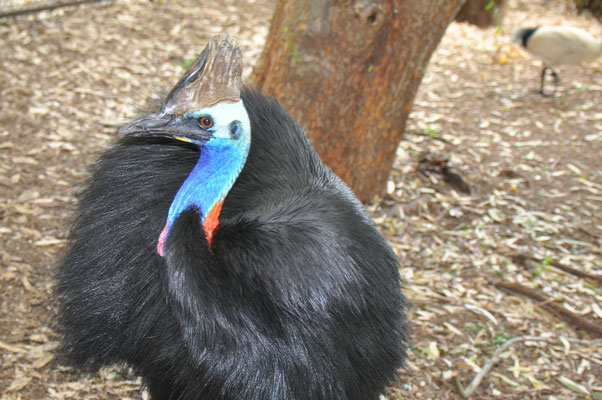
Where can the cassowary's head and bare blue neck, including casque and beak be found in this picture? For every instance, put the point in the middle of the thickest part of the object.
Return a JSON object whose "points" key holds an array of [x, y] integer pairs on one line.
{"points": [[205, 109]]}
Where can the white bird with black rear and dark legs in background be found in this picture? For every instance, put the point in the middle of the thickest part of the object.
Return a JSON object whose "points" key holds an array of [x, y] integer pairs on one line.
{"points": [[557, 45]]}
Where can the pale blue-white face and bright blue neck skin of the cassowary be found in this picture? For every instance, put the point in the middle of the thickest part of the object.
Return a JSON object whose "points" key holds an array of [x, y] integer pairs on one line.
{"points": [[221, 159]]}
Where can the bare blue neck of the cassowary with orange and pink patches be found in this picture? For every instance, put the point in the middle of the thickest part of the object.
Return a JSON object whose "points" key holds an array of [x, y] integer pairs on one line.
{"points": [[206, 186]]}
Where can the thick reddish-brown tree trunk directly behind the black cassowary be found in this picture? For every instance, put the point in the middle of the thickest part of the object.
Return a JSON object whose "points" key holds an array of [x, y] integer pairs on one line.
{"points": [[348, 72]]}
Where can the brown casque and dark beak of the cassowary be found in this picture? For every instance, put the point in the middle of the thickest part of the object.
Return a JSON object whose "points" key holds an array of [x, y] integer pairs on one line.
{"points": [[215, 76]]}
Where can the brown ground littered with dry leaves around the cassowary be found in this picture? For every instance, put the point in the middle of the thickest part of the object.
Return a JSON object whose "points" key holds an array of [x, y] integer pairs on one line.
{"points": [[495, 190]]}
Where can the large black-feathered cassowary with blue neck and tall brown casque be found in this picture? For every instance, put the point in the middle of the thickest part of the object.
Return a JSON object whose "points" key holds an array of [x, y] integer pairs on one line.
{"points": [[215, 254]]}
